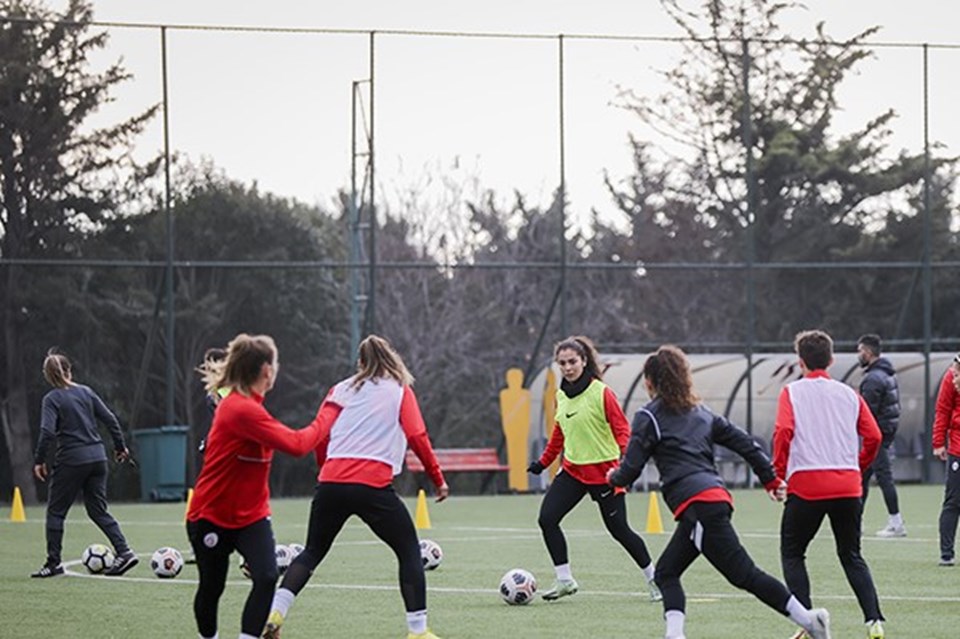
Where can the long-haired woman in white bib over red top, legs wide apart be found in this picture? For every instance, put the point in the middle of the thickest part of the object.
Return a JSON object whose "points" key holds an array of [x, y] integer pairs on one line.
{"points": [[362, 450]]}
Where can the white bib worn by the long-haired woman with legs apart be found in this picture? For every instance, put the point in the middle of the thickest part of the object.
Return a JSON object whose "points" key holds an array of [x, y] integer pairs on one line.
{"points": [[368, 427]]}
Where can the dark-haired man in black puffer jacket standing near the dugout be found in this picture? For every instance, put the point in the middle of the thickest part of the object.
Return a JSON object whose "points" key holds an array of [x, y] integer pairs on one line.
{"points": [[879, 389]]}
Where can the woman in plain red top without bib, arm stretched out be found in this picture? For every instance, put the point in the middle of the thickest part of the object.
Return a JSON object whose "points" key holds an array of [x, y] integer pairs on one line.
{"points": [[230, 509]]}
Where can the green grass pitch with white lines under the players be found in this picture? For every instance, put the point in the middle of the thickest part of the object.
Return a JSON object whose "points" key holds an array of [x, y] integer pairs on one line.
{"points": [[354, 591]]}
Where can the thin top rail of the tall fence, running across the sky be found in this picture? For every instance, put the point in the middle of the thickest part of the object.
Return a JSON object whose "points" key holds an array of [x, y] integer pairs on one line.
{"points": [[478, 34]]}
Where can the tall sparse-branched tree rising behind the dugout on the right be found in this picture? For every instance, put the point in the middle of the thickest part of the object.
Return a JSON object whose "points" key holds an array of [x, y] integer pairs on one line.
{"points": [[815, 192]]}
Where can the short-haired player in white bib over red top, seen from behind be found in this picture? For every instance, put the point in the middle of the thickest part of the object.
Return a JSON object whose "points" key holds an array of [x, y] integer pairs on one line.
{"points": [[824, 438]]}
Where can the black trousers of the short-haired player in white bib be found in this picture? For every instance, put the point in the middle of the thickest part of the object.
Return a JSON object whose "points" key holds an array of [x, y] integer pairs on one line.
{"points": [[799, 525]]}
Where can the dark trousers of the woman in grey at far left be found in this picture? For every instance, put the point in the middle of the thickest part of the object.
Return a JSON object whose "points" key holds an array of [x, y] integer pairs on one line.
{"points": [[65, 483]]}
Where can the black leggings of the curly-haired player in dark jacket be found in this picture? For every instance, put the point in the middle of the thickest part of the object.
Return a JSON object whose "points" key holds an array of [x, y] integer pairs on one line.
{"points": [[705, 527]]}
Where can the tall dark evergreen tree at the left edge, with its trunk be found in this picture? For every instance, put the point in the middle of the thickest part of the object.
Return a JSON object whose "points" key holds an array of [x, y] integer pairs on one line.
{"points": [[52, 171]]}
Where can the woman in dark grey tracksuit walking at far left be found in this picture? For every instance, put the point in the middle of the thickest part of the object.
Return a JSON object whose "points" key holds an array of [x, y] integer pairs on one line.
{"points": [[69, 415]]}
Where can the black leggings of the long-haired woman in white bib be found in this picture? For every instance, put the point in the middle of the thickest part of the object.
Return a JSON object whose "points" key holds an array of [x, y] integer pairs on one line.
{"points": [[388, 518]]}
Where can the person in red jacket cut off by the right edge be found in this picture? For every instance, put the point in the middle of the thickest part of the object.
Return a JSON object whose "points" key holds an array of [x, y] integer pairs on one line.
{"points": [[946, 446]]}
